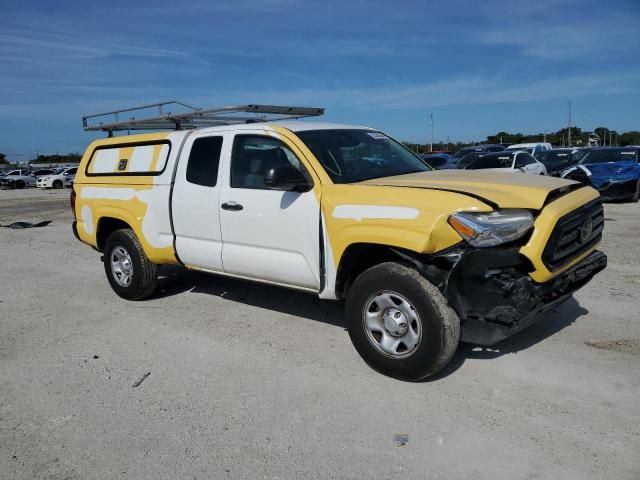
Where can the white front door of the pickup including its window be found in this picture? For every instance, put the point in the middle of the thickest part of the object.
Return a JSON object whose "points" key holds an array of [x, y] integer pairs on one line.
{"points": [[268, 235]]}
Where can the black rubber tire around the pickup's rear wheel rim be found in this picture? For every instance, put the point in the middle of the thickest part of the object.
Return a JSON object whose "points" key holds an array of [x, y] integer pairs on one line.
{"points": [[143, 274]]}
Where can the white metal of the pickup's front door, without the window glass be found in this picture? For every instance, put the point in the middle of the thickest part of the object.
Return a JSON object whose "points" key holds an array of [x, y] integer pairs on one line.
{"points": [[275, 237]]}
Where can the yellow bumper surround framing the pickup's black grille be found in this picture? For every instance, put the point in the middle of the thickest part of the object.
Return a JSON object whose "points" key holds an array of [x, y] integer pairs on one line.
{"points": [[543, 226]]}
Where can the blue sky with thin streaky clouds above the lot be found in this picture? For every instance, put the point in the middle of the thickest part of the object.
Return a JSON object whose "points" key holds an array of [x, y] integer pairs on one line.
{"points": [[478, 66]]}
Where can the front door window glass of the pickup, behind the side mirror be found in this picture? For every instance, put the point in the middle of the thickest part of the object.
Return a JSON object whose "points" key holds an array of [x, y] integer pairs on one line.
{"points": [[254, 155]]}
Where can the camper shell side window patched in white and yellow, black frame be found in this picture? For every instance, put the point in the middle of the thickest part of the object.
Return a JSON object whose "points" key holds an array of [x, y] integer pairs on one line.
{"points": [[145, 158]]}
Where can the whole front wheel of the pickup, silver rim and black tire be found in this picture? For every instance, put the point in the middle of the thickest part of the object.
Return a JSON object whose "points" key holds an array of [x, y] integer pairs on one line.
{"points": [[401, 324]]}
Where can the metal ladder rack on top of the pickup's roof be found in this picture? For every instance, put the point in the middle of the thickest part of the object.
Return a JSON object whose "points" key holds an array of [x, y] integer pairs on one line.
{"points": [[174, 115]]}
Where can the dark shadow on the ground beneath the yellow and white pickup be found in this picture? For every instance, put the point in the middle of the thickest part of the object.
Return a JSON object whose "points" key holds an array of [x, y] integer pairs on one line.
{"points": [[176, 280]]}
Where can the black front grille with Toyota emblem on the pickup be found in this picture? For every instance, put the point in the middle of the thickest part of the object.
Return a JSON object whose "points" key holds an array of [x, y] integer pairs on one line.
{"points": [[573, 234]]}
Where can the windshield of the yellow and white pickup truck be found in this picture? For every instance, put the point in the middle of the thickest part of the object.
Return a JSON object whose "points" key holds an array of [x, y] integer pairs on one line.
{"points": [[357, 155]]}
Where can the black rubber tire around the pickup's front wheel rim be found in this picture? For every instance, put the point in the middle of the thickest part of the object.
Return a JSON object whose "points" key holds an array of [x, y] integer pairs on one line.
{"points": [[439, 323]]}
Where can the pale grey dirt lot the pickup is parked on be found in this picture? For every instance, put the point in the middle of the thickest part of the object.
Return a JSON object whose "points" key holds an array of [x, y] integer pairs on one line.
{"points": [[249, 381]]}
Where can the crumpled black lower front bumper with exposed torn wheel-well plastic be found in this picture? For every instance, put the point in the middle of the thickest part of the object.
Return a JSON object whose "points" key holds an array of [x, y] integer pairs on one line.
{"points": [[495, 297]]}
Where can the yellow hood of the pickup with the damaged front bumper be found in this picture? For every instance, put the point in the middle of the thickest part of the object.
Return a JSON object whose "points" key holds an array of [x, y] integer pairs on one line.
{"points": [[505, 190]]}
